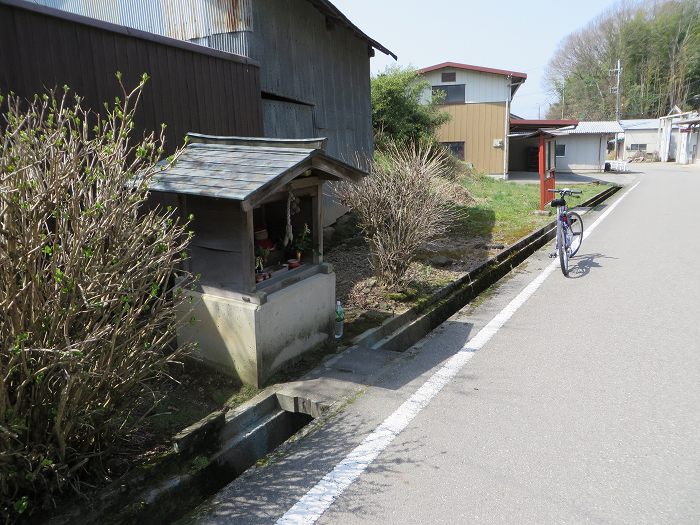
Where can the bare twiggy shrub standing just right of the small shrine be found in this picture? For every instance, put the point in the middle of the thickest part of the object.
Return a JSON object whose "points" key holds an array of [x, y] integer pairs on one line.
{"points": [[403, 205]]}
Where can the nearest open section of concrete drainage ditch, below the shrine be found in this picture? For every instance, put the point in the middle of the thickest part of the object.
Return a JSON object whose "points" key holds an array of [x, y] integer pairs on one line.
{"points": [[206, 457]]}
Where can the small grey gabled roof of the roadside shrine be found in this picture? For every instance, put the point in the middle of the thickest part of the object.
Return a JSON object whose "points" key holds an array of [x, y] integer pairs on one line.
{"points": [[242, 168]]}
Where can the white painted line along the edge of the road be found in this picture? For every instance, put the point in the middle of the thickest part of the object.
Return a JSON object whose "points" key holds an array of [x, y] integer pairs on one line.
{"points": [[317, 500]]}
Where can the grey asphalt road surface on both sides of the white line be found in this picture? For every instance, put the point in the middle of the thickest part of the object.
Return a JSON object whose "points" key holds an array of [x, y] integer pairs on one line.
{"points": [[583, 408]]}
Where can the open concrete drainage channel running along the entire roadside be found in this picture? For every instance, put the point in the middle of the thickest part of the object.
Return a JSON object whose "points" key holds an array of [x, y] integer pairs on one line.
{"points": [[216, 450]]}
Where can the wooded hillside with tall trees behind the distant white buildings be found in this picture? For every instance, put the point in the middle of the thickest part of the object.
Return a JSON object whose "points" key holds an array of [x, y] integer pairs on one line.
{"points": [[658, 44]]}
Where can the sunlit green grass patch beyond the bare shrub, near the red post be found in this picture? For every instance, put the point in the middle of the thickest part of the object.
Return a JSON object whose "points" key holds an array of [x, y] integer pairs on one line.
{"points": [[505, 210]]}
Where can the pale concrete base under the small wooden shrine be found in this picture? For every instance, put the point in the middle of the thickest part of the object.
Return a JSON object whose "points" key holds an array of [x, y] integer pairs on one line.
{"points": [[252, 337]]}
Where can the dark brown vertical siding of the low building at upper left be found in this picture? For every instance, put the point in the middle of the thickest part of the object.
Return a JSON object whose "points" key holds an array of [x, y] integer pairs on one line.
{"points": [[191, 88]]}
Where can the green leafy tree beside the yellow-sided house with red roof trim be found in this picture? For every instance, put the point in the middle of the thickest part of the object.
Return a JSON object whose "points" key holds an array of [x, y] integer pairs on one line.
{"points": [[404, 110]]}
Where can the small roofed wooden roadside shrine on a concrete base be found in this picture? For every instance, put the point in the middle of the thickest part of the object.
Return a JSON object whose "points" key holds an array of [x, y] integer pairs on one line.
{"points": [[264, 294]]}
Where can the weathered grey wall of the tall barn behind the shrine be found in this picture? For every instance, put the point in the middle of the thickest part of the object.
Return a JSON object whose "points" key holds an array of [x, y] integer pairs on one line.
{"points": [[322, 66]]}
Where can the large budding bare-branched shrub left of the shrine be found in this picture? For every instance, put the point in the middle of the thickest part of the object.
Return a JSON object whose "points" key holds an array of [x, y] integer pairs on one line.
{"points": [[86, 300]]}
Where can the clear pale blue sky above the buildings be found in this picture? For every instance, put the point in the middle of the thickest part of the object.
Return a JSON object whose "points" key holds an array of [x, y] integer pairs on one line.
{"points": [[514, 35]]}
